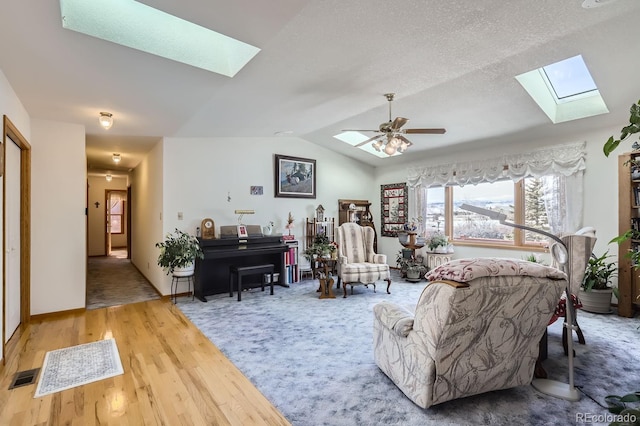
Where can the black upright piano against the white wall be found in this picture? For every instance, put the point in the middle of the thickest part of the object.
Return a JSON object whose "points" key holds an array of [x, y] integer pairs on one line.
{"points": [[212, 272]]}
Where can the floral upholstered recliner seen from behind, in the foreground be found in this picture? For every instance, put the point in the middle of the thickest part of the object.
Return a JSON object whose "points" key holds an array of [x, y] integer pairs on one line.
{"points": [[476, 328]]}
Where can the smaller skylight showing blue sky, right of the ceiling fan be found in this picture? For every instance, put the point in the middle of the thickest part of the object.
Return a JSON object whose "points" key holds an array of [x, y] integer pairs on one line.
{"points": [[564, 90]]}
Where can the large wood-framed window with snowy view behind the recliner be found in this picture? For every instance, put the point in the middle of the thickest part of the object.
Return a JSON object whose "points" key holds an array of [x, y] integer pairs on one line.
{"points": [[523, 202]]}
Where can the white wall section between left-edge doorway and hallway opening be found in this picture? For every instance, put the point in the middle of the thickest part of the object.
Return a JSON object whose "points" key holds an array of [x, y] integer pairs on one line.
{"points": [[58, 221]]}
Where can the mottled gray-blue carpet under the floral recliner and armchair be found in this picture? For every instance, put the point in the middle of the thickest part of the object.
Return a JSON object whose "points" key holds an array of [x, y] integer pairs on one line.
{"points": [[313, 360]]}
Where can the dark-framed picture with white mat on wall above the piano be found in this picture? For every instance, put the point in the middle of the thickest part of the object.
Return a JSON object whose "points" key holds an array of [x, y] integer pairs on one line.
{"points": [[295, 177]]}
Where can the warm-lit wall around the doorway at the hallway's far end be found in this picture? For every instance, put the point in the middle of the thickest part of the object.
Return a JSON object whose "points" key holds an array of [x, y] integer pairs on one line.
{"points": [[98, 186]]}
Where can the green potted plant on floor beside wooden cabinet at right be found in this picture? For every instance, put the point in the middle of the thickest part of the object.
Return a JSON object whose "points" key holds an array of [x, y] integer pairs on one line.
{"points": [[596, 288]]}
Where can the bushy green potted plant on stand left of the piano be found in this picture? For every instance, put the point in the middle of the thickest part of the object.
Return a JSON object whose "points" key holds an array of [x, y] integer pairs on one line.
{"points": [[178, 253]]}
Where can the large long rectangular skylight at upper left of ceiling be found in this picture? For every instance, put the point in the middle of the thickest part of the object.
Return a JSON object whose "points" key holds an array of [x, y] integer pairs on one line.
{"points": [[136, 25]]}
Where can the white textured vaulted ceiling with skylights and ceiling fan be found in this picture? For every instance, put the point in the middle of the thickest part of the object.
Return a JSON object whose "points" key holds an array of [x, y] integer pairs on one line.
{"points": [[324, 66]]}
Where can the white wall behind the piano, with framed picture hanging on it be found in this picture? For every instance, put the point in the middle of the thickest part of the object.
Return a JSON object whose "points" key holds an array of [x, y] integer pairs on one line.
{"points": [[201, 173]]}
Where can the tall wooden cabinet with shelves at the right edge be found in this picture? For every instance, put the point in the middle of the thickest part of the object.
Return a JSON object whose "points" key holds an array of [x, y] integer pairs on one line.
{"points": [[628, 218]]}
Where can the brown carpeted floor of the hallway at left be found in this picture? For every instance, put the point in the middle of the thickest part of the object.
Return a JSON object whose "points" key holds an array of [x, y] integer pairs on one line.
{"points": [[113, 280]]}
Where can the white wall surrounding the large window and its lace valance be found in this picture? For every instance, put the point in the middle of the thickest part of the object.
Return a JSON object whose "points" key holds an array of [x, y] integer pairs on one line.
{"points": [[600, 190]]}
